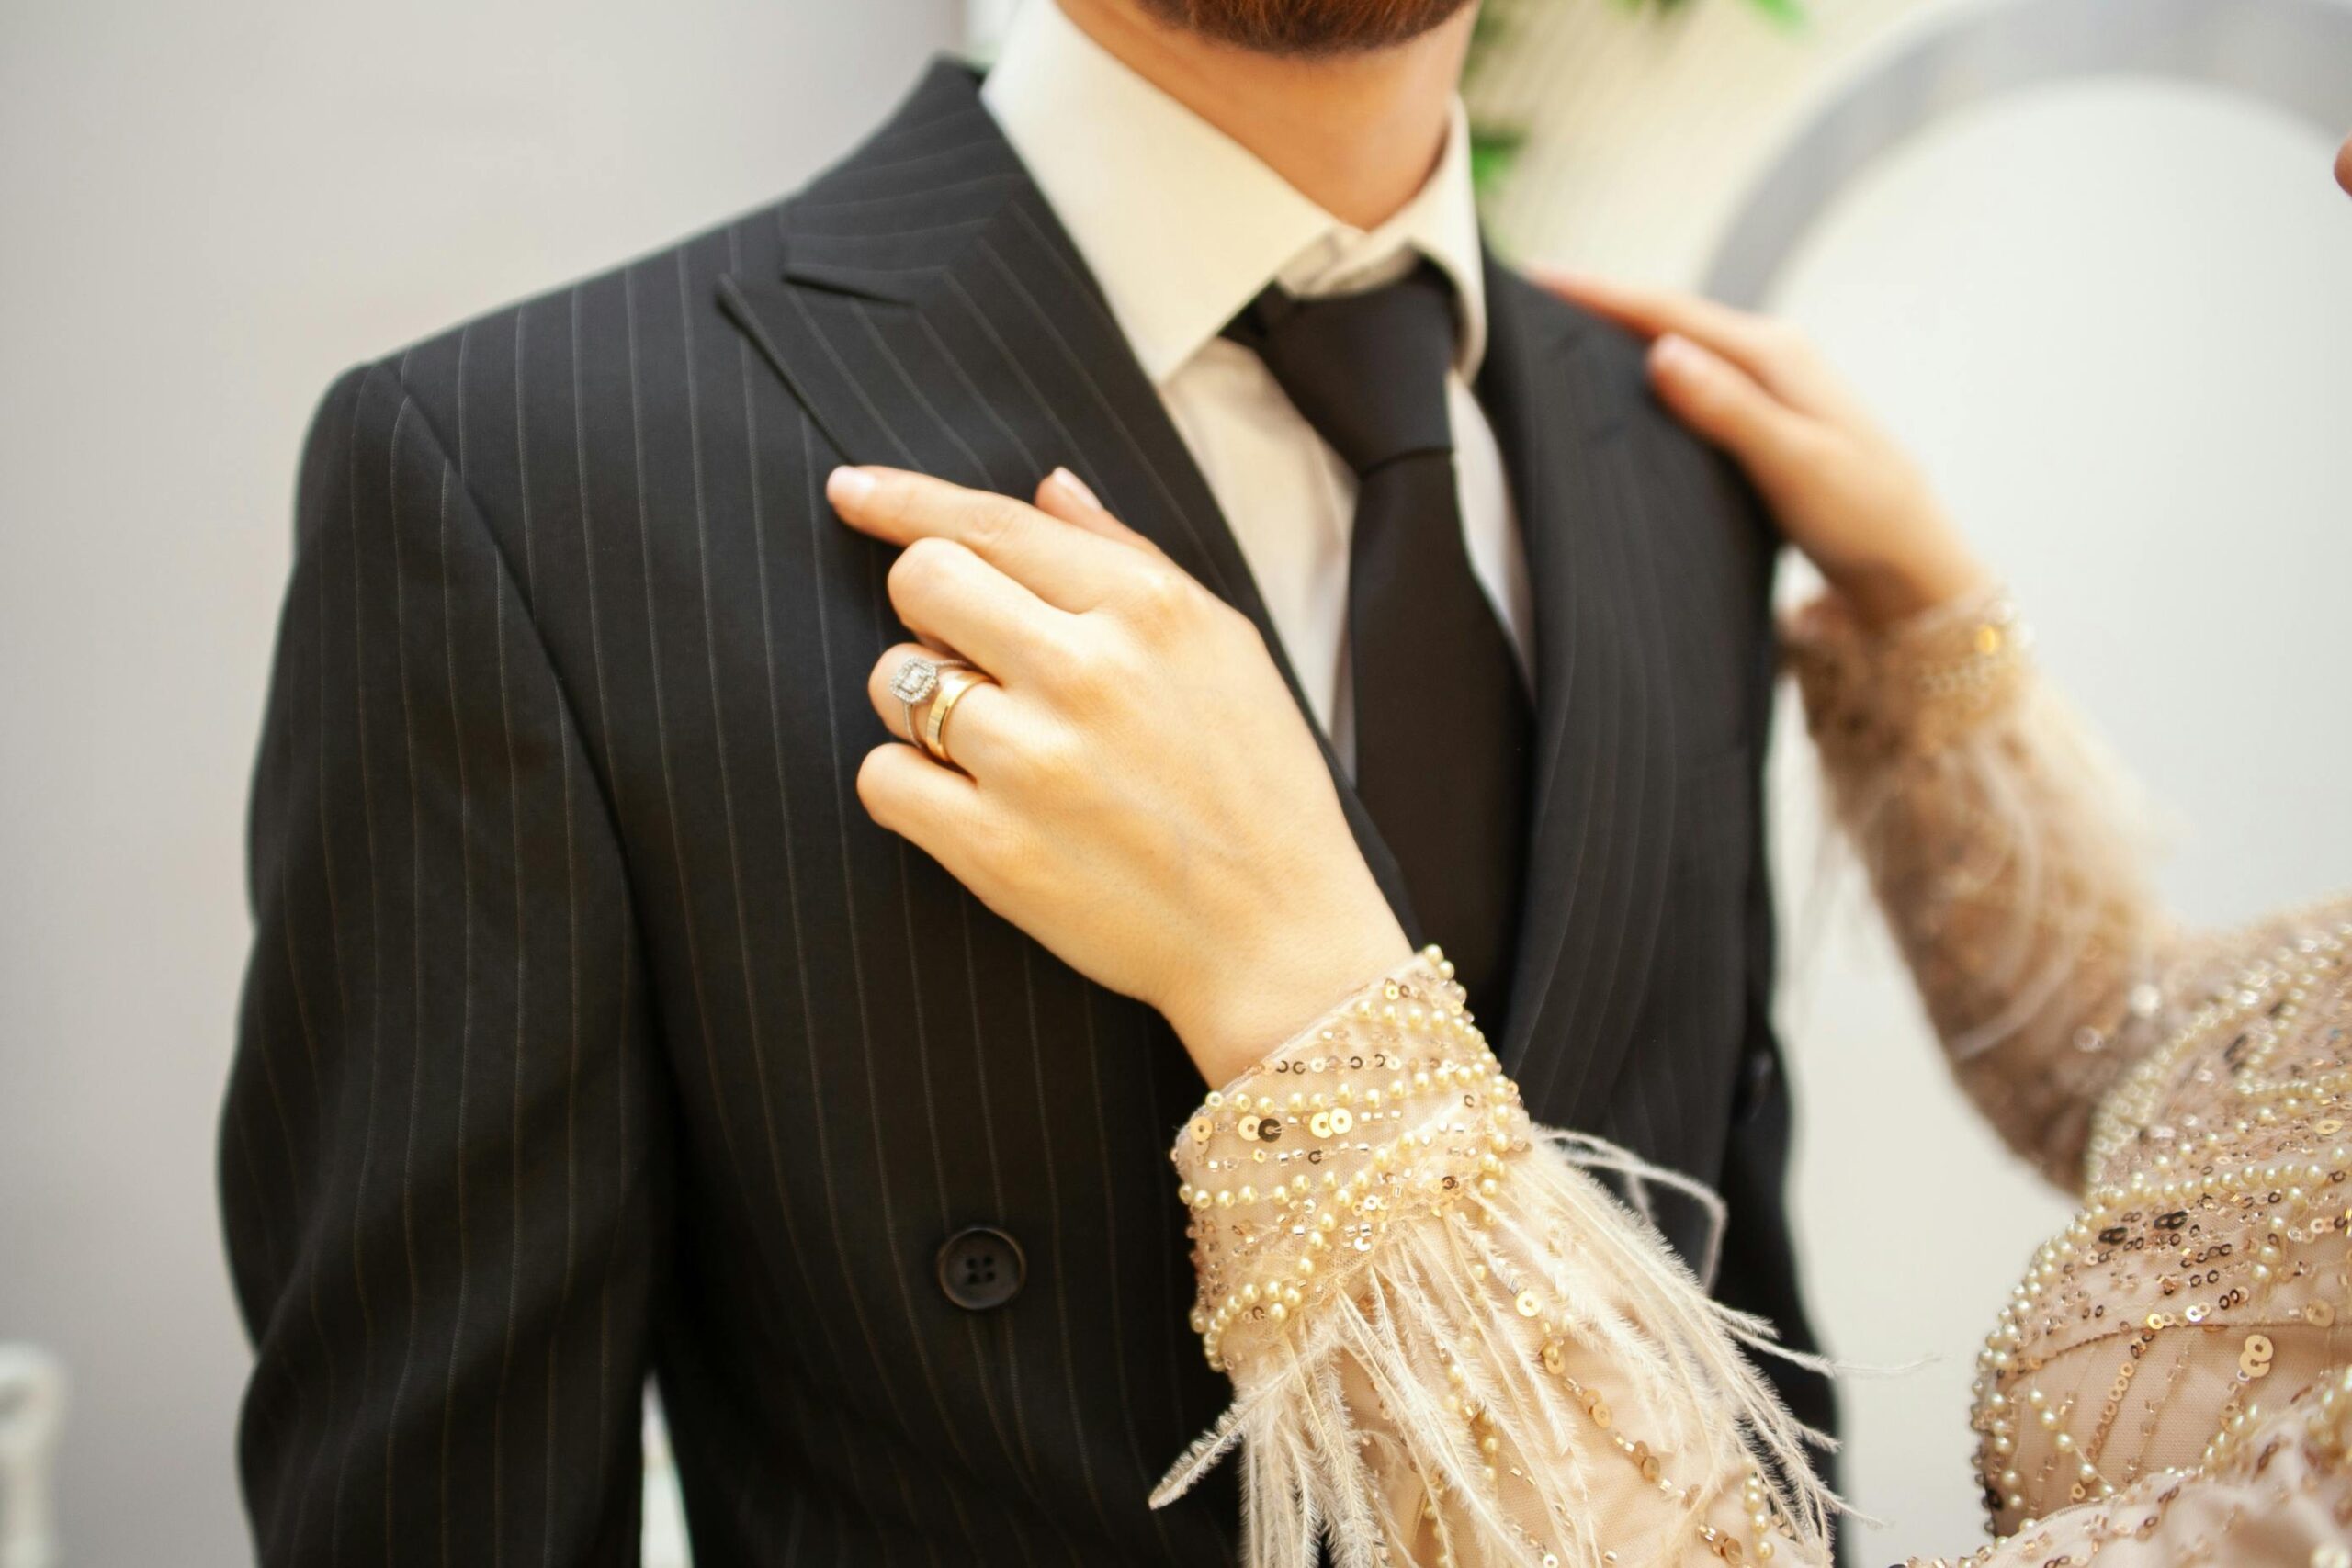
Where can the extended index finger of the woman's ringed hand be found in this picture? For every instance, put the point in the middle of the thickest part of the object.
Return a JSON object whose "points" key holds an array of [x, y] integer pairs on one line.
{"points": [[1071, 568]]}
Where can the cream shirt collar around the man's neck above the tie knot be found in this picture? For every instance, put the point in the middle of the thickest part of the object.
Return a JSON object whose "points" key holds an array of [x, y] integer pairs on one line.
{"points": [[1182, 225]]}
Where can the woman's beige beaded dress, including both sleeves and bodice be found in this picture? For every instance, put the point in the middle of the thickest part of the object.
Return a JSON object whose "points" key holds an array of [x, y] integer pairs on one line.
{"points": [[1452, 1346]]}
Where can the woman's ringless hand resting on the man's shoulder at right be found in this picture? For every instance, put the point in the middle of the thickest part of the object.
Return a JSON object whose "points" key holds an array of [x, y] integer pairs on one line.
{"points": [[1840, 488]]}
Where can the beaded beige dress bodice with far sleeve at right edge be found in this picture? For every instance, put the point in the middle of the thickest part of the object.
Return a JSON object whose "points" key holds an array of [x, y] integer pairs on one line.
{"points": [[2193, 1087]]}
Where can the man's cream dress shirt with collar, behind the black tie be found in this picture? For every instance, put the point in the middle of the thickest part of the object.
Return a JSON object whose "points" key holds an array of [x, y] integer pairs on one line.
{"points": [[1184, 227]]}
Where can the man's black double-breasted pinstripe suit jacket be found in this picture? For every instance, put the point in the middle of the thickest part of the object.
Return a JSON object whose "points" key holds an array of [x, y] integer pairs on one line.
{"points": [[594, 1031]]}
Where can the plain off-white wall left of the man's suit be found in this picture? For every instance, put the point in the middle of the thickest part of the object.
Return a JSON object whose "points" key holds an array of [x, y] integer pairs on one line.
{"points": [[208, 210]]}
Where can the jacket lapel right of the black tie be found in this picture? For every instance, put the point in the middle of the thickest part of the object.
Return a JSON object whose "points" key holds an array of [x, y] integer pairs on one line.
{"points": [[1605, 760]]}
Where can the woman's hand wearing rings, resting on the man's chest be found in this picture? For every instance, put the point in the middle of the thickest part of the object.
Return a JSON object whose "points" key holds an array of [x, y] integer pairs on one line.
{"points": [[1140, 789]]}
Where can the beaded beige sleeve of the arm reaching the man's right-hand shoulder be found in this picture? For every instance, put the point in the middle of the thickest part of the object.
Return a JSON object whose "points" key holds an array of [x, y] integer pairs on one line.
{"points": [[2007, 857]]}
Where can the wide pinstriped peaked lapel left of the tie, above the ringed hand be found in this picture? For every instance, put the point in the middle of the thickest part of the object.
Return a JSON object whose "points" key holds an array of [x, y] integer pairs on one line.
{"points": [[935, 316]]}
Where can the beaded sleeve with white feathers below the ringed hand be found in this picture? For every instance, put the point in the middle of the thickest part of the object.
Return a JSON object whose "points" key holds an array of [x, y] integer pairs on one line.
{"points": [[1448, 1341]]}
